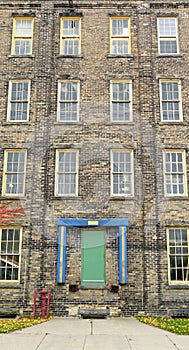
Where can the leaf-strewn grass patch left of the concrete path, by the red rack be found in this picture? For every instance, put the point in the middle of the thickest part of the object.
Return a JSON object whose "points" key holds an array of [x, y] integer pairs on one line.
{"points": [[7, 326]]}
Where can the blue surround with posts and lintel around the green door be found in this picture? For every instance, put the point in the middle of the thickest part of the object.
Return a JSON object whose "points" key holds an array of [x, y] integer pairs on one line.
{"points": [[63, 223]]}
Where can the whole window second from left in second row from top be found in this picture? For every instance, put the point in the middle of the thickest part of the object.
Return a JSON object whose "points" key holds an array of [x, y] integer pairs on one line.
{"points": [[68, 100]]}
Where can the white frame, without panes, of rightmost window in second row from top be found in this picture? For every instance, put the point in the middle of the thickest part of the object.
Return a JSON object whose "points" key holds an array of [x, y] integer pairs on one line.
{"points": [[179, 101]]}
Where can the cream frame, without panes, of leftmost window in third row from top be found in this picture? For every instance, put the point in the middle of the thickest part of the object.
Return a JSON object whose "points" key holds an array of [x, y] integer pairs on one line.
{"points": [[13, 173]]}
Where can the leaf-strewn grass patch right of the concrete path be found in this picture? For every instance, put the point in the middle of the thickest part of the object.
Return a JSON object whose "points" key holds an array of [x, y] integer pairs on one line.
{"points": [[174, 325]]}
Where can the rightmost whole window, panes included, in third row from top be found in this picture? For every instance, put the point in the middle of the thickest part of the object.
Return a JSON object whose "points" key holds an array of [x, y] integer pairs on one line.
{"points": [[175, 173]]}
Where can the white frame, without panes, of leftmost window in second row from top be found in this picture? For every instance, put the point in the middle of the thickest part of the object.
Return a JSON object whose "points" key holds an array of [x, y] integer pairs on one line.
{"points": [[18, 101]]}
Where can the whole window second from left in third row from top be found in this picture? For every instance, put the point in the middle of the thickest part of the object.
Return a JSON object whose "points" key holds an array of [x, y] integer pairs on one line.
{"points": [[66, 177]]}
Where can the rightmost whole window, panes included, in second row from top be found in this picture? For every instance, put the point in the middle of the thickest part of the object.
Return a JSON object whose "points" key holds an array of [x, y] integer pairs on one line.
{"points": [[171, 101]]}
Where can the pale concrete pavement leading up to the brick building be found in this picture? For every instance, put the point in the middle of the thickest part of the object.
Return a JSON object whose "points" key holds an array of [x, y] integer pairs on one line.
{"points": [[81, 334]]}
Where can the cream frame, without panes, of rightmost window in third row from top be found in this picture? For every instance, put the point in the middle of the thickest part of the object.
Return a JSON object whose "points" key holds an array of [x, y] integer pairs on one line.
{"points": [[174, 174]]}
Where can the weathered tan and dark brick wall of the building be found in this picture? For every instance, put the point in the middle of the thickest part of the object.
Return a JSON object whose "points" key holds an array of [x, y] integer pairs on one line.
{"points": [[149, 212]]}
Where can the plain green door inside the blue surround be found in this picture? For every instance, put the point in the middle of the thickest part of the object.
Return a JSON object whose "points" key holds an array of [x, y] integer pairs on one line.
{"points": [[93, 257]]}
